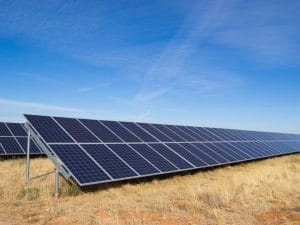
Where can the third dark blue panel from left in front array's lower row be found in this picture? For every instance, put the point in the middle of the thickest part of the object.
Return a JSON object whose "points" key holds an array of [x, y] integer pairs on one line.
{"points": [[138, 163]]}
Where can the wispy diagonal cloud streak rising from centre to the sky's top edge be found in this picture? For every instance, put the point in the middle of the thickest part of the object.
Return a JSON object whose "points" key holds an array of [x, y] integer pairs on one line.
{"points": [[170, 71]]}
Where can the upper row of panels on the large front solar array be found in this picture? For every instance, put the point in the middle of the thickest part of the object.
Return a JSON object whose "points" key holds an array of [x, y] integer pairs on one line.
{"points": [[70, 130]]}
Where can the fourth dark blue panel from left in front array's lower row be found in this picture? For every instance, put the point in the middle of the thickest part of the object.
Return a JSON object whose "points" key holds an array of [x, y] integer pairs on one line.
{"points": [[157, 160]]}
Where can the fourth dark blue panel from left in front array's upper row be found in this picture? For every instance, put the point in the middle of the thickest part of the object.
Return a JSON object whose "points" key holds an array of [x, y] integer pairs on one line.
{"points": [[122, 132]]}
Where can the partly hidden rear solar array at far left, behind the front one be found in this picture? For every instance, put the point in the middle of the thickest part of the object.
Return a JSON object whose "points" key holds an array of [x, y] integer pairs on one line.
{"points": [[13, 140]]}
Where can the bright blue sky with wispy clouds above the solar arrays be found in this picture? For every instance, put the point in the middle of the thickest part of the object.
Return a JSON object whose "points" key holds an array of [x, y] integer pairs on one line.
{"points": [[232, 64]]}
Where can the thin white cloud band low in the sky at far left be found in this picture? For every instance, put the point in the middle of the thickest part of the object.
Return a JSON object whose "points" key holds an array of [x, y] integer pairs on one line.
{"points": [[36, 106]]}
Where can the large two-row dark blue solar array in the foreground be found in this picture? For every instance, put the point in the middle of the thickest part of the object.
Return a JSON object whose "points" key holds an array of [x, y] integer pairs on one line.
{"points": [[97, 151]]}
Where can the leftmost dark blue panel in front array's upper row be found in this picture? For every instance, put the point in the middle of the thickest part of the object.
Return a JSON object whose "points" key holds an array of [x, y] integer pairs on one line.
{"points": [[49, 129]]}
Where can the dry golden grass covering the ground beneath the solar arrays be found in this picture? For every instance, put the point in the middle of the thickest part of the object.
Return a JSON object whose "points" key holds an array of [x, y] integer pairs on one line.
{"points": [[264, 192]]}
